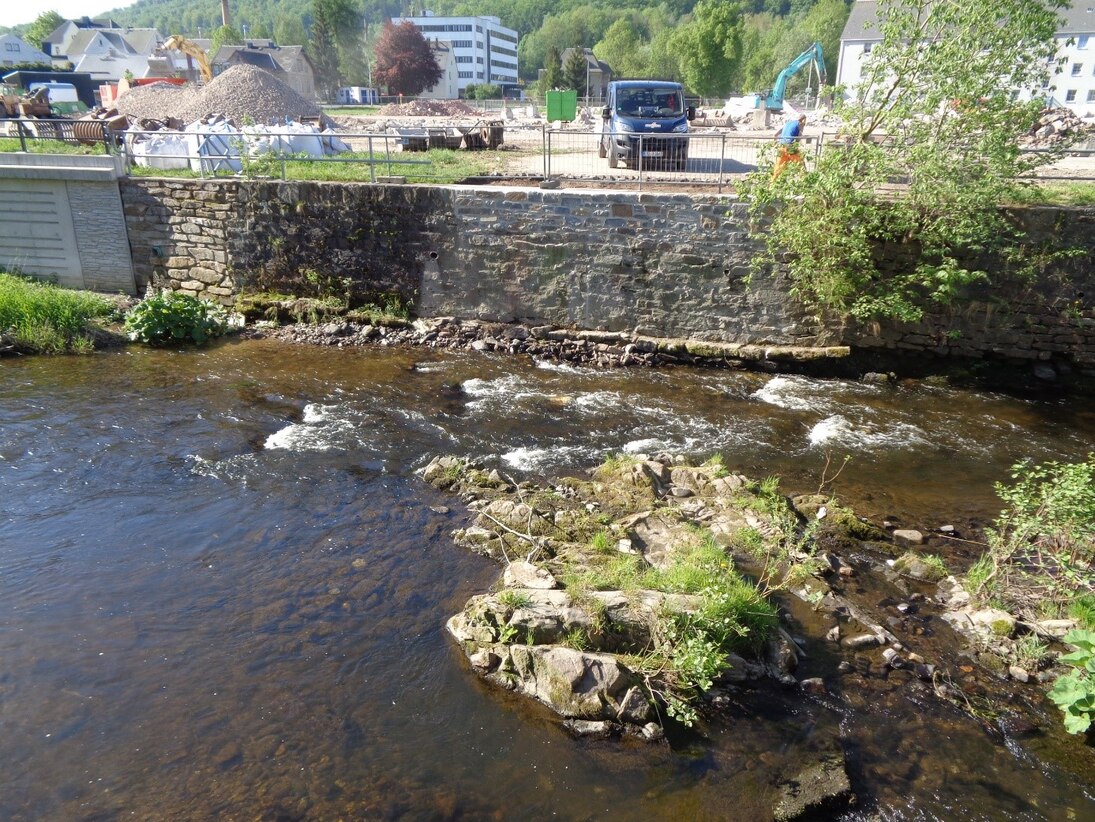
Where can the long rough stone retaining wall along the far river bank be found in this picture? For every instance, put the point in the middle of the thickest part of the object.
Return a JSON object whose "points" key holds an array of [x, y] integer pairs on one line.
{"points": [[667, 265]]}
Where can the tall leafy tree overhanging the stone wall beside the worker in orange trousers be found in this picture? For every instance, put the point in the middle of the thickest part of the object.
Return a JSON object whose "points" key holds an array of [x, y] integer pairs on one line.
{"points": [[940, 89]]}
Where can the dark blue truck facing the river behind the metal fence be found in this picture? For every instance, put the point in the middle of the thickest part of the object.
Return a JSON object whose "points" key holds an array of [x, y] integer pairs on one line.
{"points": [[654, 110]]}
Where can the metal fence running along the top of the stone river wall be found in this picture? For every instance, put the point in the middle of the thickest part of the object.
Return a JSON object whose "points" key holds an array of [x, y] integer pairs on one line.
{"points": [[712, 158]]}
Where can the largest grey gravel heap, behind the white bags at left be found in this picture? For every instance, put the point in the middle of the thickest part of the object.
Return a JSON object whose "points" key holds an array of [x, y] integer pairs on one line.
{"points": [[241, 94]]}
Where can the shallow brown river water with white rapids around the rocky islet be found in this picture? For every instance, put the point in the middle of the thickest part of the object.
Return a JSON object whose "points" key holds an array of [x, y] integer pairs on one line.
{"points": [[223, 588]]}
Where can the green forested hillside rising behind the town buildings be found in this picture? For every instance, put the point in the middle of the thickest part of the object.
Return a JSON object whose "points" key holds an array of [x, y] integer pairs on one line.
{"points": [[714, 48]]}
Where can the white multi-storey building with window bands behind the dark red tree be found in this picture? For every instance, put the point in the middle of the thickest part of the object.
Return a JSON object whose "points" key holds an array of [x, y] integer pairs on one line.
{"points": [[486, 52]]}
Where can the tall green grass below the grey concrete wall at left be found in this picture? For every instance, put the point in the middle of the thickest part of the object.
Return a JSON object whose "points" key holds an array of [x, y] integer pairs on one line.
{"points": [[38, 318]]}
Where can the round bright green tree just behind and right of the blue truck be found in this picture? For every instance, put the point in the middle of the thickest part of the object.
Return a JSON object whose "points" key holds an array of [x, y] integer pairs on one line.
{"points": [[710, 48]]}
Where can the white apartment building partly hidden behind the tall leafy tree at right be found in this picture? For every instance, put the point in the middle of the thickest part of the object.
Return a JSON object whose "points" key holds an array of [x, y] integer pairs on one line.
{"points": [[1075, 88]]}
